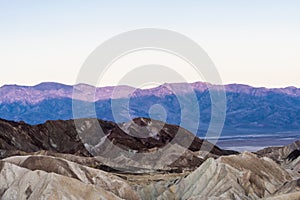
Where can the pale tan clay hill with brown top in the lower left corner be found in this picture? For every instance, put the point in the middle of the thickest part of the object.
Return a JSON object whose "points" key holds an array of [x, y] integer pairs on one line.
{"points": [[44, 177]]}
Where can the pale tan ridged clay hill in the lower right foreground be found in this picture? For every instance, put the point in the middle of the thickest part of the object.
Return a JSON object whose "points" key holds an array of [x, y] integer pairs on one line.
{"points": [[242, 176]]}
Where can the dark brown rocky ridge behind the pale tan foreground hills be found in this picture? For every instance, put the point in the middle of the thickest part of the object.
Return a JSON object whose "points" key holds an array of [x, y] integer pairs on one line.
{"points": [[174, 145]]}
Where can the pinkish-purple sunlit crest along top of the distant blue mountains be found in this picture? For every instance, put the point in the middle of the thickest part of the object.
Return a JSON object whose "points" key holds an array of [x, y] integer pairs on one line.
{"points": [[48, 90]]}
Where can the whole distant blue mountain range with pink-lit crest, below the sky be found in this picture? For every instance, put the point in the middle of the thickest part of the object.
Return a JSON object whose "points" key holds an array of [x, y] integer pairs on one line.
{"points": [[249, 109]]}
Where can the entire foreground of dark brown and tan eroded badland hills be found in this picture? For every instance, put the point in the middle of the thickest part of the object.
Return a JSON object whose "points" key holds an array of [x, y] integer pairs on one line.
{"points": [[49, 162]]}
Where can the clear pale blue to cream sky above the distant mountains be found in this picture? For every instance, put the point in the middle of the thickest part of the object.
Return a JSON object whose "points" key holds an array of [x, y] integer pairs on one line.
{"points": [[250, 42]]}
